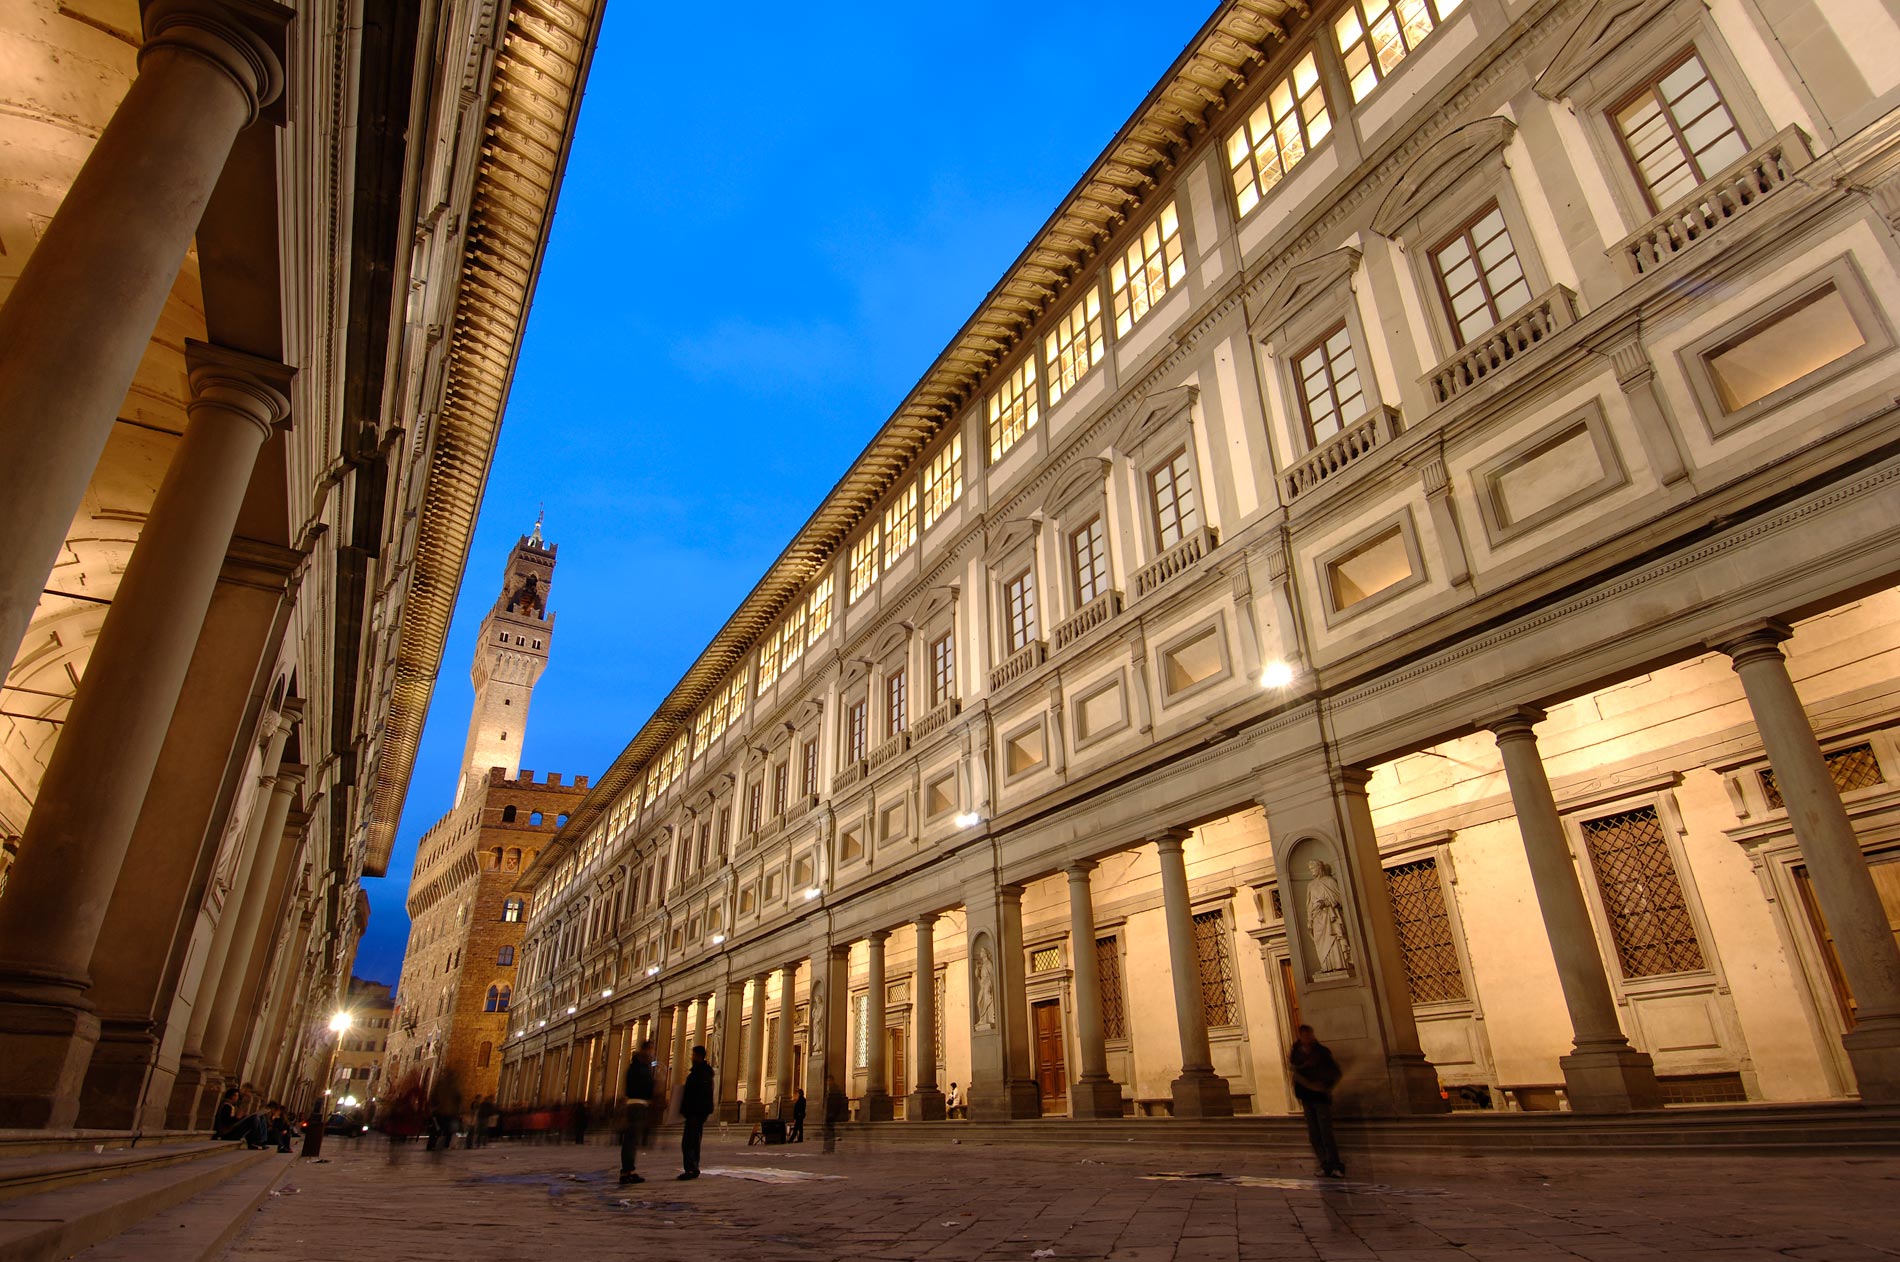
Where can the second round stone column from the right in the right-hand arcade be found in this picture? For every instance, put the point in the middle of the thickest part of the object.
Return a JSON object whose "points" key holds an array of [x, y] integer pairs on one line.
{"points": [[1603, 1075]]}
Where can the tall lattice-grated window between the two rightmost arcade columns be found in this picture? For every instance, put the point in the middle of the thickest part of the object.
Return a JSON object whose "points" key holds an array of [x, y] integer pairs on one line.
{"points": [[1643, 894]]}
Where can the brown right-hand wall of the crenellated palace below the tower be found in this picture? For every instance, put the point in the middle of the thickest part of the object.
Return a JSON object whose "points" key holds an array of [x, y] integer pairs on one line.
{"points": [[503, 851]]}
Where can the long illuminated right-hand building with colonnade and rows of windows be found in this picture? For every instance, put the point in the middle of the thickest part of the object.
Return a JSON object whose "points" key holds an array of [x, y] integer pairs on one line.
{"points": [[1407, 548]]}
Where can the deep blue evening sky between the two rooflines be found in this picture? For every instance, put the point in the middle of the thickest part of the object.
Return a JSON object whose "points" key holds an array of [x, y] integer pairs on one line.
{"points": [[772, 223]]}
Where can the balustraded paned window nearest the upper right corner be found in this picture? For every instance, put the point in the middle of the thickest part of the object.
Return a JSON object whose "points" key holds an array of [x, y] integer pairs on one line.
{"points": [[1679, 132]]}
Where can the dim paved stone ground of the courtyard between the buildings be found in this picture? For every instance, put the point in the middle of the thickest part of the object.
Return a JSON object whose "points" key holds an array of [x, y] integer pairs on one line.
{"points": [[1019, 1204]]}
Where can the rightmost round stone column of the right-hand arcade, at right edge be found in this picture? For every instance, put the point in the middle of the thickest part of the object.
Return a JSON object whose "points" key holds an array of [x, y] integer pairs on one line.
{"points": [[1836, 866]]}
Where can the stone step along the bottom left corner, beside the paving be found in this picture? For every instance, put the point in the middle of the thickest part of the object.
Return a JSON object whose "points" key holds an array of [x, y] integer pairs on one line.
{"points": [[62, 1221]]}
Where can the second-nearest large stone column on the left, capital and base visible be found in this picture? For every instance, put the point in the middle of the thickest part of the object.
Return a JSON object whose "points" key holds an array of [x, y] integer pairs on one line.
{"points": [[96, 782]]}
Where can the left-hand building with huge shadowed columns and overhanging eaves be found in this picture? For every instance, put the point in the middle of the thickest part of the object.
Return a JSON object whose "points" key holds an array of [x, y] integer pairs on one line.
{"points": [[265, 271]]}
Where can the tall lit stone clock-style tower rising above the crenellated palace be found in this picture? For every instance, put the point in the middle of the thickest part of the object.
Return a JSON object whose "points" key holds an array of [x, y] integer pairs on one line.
{"points": [[510, 655]]}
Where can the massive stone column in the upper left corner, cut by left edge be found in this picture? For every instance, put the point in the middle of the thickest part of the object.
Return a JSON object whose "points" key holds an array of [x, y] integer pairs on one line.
{"points": [[83, 311]]}
